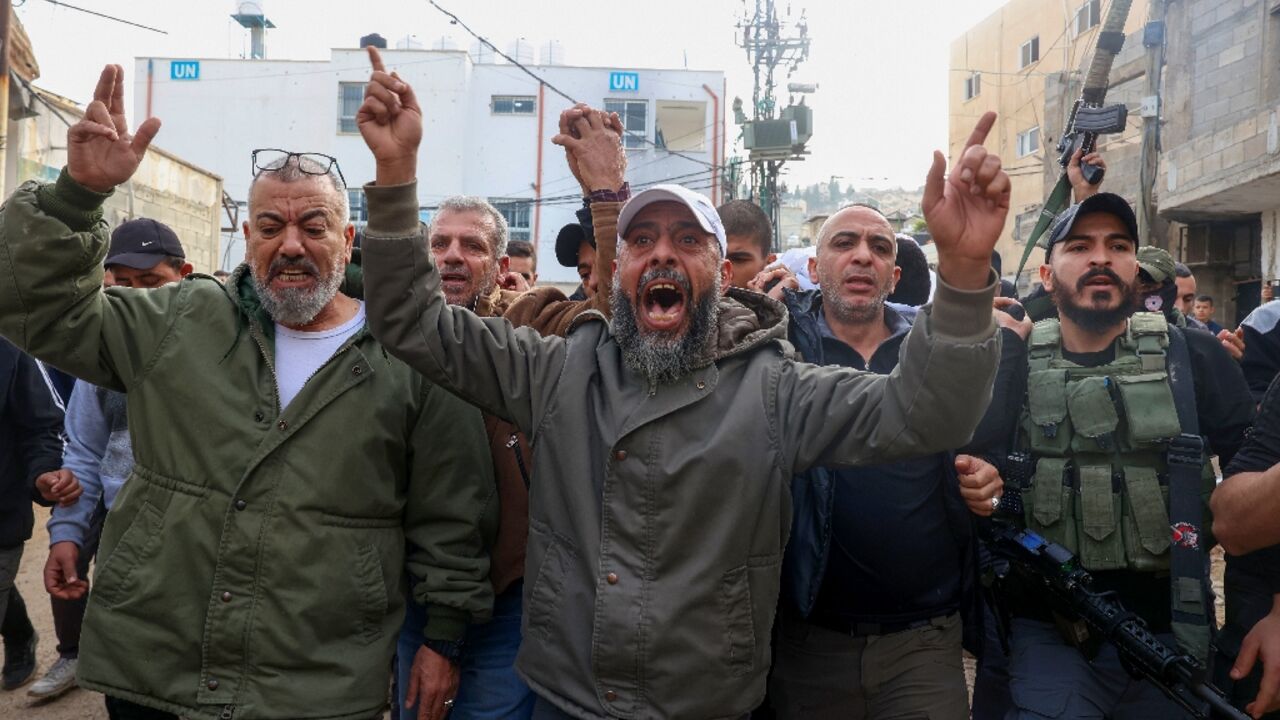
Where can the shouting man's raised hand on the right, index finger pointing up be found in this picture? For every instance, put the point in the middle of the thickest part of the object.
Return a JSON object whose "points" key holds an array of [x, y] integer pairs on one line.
{"points": [[967, 211]]}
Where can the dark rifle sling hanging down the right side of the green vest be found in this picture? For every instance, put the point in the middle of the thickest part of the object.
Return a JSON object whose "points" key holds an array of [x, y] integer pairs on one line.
{"points": [[1188, 555]]}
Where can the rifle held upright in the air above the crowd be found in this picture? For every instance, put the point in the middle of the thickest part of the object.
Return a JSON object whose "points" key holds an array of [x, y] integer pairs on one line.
{"points": [[1089, 120]]}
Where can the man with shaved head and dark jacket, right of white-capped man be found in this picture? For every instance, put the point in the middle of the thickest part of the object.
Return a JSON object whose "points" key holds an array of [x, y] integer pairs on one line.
{"points": [[860, 637]]}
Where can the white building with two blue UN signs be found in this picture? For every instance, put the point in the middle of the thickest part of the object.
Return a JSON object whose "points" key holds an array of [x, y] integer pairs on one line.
{"points": [[488, 127]]}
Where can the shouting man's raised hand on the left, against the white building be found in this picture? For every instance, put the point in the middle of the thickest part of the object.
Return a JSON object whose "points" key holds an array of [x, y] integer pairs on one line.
{"points": [[391, 122]]}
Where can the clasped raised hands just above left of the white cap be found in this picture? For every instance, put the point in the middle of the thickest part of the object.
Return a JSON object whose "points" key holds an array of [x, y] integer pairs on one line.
{"points": [[593, 147]]}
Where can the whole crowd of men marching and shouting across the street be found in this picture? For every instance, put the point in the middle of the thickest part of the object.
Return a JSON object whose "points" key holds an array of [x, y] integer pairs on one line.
{"points": [[707, 485]]}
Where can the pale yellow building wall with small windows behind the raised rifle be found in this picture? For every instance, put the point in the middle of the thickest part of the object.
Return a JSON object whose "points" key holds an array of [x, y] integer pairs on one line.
{"points": [[1018, 95]]}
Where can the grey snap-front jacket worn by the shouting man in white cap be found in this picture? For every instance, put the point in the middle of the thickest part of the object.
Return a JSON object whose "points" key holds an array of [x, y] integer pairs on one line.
{"points": [[659, 514]]}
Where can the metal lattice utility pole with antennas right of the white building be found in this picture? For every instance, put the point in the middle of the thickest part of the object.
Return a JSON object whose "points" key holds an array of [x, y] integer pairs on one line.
{"points": [[767, 49]]}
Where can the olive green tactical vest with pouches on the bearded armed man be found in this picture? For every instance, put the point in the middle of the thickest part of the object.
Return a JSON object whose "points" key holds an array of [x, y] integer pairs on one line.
{"points": [[1101, 439]]}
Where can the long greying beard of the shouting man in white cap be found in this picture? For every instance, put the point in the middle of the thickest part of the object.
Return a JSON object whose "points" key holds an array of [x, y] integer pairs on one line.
{"points": [[661, 358]]}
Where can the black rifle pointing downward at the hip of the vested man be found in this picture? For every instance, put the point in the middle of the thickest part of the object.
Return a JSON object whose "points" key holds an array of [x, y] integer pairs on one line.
{"points": [[1144, 655]]}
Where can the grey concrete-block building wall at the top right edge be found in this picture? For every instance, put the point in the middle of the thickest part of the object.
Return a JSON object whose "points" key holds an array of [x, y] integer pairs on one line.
{"points": [[1220, 167]]}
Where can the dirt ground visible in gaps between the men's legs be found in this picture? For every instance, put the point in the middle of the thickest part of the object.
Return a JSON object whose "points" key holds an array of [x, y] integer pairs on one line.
{"points": [[85, 705]]}
